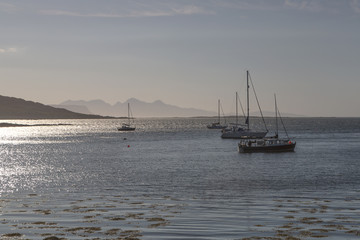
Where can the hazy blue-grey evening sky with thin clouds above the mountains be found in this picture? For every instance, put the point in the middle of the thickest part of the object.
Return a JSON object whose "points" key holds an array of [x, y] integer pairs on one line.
{"points": [[188, 53]]}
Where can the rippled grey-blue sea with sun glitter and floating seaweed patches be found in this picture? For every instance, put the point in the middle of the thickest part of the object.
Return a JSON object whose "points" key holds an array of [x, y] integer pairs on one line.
{"points": [[175, 179]]}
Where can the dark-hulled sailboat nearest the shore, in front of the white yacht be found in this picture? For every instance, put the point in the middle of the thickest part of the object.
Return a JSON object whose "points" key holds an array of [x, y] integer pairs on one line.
{"points": [[270, 144]]}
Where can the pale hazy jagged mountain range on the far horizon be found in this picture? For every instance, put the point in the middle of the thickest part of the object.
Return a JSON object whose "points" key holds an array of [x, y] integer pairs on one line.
{"points": [[139, 108]]}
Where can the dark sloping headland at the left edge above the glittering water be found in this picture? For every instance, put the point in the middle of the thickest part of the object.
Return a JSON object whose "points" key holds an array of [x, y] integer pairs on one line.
{"points": [[17, 108]]}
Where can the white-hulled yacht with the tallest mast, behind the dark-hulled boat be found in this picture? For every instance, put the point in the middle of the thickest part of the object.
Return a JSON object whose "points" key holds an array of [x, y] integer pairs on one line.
{"points": [[236, 131]]}
